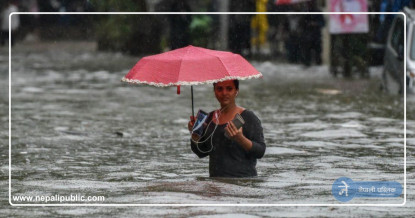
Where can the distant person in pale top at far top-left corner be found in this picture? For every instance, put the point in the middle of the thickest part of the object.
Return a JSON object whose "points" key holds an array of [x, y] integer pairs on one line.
{"points": [[15, 22]]}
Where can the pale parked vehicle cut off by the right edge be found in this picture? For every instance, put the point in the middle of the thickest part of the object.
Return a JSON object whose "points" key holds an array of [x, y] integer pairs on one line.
{"points": [[394, 74]]}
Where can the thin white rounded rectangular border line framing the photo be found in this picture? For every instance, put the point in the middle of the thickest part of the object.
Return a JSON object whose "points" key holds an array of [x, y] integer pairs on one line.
{"points": [[209, 205]]}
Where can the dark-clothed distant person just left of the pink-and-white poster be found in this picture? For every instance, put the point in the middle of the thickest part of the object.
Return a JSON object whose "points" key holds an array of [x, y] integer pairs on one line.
{"points": [[311, 43]]}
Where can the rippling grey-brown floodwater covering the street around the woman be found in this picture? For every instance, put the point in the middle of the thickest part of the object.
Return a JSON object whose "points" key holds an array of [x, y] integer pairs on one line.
{"points": [[76, 129]]}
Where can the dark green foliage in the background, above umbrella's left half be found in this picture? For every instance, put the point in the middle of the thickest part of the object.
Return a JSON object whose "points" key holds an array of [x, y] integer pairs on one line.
{"points": [[132, 34]]}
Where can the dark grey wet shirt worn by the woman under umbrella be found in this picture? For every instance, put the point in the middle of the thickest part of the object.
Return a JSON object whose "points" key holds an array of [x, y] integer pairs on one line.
{"points": [[228, 158]]}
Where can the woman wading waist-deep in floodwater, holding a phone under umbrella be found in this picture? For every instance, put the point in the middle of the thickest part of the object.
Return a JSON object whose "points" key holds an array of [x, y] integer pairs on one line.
{"points": [[236, 154]]}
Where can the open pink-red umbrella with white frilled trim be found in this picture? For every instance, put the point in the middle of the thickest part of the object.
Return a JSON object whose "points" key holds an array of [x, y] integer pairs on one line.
{"points": [[190, 66]]}
